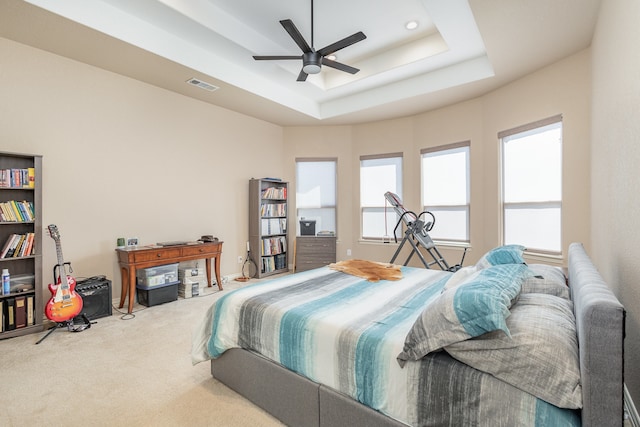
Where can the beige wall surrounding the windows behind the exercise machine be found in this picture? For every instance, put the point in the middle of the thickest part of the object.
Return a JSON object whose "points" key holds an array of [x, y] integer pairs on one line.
{"points": [[563, 88]]}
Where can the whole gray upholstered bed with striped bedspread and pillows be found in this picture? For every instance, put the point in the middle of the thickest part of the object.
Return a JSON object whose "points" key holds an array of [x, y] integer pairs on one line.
{"points": [[532, 352]]}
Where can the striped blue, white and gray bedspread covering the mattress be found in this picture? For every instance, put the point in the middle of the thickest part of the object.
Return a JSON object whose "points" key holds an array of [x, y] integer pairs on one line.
{"points": [[346, 332]]}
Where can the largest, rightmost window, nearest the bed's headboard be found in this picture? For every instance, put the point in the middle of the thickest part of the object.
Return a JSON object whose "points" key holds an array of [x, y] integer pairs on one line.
{"points": [[532, 185]]}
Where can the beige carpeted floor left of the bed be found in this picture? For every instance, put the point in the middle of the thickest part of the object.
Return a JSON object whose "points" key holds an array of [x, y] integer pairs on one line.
{"points": [[123, 371]]}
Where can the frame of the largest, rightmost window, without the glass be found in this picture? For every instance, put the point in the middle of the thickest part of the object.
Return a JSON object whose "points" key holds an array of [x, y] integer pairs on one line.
{"points": [[553, 120]]}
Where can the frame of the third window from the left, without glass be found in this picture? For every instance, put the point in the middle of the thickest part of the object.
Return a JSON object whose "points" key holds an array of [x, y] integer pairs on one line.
{"points": [[466, 207]]}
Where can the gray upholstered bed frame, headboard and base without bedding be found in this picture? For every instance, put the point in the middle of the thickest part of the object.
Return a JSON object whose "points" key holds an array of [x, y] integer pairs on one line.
{"points": [[297, 401]]}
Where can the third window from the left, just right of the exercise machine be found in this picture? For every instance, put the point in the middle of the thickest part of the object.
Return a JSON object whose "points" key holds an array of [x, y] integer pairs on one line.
{"points": [[445, 190]]}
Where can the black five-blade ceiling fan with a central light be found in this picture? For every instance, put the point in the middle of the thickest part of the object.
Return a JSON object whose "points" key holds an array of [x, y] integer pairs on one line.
{"points": [[312, 59]]}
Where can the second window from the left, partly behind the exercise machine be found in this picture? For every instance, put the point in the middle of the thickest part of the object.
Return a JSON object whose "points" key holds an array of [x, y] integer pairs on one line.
{"points": [[379, 174]]}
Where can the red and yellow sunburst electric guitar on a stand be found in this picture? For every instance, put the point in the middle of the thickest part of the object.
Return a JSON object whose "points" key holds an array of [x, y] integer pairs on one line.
{"points": [[65, 303]]}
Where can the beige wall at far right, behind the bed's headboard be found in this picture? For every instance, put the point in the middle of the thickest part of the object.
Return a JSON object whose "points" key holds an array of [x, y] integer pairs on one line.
{"points": [[615, 179]]}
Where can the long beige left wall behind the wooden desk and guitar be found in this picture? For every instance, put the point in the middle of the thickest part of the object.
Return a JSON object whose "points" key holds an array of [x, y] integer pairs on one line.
{"points": [[123, 158]]}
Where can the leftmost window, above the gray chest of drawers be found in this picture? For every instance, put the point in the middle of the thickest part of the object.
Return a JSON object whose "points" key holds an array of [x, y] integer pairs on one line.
{"points": [[316, 193]]}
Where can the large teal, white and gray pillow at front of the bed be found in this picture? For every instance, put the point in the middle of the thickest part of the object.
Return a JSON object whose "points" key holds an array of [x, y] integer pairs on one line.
{"points": [[466, 311]]}
